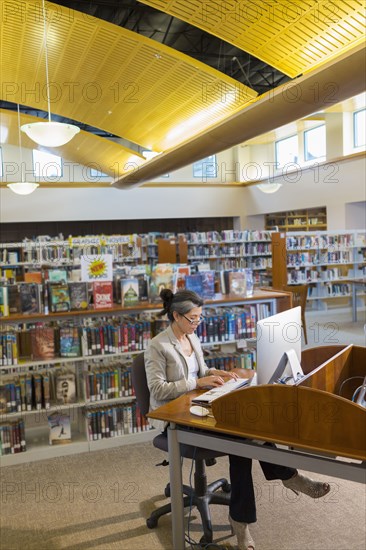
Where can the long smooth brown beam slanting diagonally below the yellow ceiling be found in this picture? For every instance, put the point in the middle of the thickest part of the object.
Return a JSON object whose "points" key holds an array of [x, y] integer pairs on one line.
{"points": [[336, 81]]}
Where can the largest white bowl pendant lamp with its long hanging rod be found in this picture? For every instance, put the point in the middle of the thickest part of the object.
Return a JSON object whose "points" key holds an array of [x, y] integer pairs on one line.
{"points": [[49, 134]]}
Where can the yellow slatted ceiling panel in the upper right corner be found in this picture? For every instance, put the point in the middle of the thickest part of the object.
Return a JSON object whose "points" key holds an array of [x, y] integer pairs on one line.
{"points": [[293, 36]]}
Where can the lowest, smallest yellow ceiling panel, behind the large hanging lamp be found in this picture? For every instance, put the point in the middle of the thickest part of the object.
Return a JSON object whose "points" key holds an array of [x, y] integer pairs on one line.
{"points": [[87, 149]]}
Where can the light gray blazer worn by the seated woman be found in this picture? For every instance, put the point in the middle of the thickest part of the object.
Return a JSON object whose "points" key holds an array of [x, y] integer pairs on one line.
{"points": [[167, 370]]}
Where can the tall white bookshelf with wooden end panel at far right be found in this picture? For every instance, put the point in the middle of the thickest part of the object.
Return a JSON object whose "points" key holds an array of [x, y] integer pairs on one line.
{"points": [[327, 261]]}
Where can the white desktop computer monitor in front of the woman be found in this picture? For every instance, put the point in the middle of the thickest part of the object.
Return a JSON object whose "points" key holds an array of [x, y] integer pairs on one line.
{"points": [[279, 346]]}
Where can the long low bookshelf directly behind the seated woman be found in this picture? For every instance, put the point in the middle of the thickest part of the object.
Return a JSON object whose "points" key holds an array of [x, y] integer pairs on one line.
{"points": [[92, 416]]}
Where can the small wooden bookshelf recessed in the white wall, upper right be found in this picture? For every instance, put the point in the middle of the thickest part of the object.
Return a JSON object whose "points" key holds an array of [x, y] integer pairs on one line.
{"points": [[307, 219]]}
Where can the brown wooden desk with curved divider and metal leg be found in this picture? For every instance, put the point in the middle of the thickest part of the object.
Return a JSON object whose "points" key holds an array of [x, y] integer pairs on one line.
{"points": [[231, 430]]}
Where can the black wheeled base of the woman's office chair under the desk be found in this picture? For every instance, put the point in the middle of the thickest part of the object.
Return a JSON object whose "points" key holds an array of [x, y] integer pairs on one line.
{"points": [[200, 496]]}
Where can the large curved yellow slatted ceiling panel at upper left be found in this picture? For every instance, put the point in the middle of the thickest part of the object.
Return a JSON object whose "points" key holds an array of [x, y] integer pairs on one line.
{"points": [[111, 78]]}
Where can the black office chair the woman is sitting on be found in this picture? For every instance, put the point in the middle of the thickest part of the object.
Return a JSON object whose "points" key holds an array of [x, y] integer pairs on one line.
{"points": [[202, 494]]}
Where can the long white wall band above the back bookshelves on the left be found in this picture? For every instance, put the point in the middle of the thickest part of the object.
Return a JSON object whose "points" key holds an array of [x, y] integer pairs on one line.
{"points": [[109, 204]]}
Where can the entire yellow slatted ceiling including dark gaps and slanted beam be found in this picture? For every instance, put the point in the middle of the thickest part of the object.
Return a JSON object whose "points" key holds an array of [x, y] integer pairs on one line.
{"points": [[162, 74]]}
